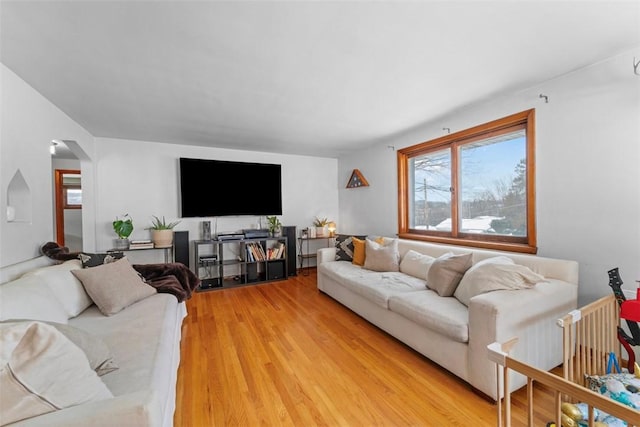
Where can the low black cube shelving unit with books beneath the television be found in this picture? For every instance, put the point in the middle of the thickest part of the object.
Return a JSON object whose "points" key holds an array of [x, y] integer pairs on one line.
{"points": [[239, 262]]}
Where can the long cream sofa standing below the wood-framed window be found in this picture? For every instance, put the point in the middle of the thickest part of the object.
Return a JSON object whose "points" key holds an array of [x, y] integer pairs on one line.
{"points": [[447, 331]]}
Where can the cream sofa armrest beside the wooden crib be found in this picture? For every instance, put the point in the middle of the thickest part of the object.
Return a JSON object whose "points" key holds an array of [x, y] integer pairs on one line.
{"points": [[528, 314]]}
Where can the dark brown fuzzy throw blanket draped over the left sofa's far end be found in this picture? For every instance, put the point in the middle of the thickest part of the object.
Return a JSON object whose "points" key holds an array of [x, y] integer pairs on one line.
{"points": [[174, 278]]}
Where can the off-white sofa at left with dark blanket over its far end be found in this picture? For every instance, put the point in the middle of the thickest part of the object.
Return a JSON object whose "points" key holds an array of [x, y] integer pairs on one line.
{"points": [[143, 338]]}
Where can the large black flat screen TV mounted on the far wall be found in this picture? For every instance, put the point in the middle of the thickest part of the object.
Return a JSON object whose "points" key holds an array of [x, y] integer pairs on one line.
{"points": [[225, 188]]}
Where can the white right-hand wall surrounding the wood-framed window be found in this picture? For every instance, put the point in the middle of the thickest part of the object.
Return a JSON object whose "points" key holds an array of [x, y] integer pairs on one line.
{"points": [[587, 170]]}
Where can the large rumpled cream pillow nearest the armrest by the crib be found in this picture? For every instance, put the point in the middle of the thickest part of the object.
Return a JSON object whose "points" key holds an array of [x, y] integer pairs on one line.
{"points": [[494, 274]]}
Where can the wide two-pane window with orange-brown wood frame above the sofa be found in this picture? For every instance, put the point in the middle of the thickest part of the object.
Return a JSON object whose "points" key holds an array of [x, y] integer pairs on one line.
{"points": [[475, 187]]}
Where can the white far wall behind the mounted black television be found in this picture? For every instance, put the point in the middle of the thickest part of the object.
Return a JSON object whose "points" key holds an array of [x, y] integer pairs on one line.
{"points": [[141, 179]]}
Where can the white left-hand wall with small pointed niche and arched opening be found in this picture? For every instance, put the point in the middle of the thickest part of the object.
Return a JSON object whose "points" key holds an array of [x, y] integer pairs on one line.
{"points": [[28, 124]]}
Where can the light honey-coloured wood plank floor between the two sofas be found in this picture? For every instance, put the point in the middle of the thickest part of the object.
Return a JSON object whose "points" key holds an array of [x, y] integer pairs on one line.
{"points": [[284, 354]]}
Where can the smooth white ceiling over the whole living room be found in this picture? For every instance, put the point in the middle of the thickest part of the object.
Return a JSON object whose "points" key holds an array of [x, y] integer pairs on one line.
{"points": [[300, 77]]}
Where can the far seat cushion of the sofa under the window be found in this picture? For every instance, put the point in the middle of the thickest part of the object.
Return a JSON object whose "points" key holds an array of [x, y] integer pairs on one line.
{"points": [[374, 286]]}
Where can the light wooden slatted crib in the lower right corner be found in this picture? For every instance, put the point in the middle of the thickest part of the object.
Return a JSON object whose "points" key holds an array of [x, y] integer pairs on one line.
{"points": [[586, 348]]}
